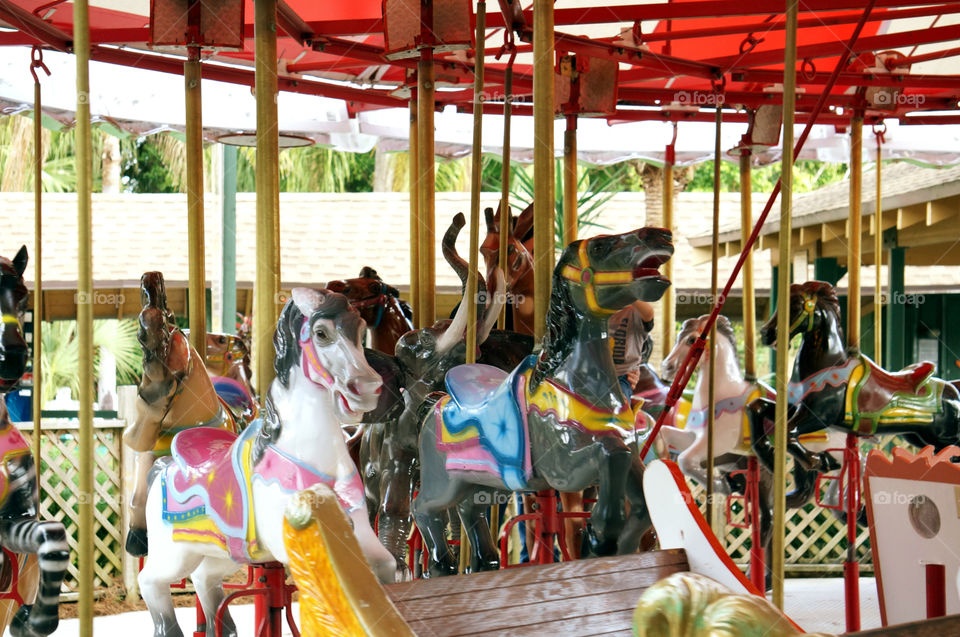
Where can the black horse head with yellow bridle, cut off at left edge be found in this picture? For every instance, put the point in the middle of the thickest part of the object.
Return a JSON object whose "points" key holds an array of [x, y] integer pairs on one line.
{"points": [[13, 304]]}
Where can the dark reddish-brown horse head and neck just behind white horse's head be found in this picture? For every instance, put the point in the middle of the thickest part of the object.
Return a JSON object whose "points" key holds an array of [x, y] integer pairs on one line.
{"points": [[388, 318]]}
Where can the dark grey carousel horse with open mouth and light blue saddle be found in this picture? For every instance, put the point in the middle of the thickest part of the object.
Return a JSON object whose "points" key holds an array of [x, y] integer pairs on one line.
{"points": [[558, 421]]}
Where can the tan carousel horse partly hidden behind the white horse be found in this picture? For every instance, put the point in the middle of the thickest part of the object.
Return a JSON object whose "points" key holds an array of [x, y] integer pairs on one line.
{"points": [[174, 394]]}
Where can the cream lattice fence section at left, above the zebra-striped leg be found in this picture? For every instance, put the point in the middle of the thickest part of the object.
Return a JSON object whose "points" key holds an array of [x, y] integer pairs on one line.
{"points": [[60, 498]]}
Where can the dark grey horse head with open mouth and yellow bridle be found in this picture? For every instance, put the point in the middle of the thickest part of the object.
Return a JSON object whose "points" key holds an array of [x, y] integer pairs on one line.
{"points": [[606, 273]]}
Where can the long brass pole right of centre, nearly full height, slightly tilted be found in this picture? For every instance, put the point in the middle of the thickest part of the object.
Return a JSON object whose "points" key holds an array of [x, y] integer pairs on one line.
{"points": [[783, 303]]}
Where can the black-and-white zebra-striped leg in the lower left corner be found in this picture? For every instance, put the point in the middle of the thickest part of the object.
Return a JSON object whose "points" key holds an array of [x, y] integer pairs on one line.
{"points": [[49, 541]]}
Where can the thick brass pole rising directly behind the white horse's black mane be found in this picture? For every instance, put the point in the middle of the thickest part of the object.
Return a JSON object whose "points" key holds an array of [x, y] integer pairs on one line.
{"points": [[266, 306]]}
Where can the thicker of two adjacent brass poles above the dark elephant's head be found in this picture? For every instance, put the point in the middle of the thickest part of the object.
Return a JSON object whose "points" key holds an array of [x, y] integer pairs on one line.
{"points": [[426, 186]]}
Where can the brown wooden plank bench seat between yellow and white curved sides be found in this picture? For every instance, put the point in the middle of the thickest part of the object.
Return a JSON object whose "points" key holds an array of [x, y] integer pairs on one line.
{"points": [[583, 597]]}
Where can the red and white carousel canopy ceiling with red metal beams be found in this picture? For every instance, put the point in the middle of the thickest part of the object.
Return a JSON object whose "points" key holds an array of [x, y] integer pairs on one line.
{"points": [[669, 61]]}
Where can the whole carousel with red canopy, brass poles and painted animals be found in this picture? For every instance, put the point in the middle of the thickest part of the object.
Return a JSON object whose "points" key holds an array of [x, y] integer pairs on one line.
{"points": [[371, 484]]}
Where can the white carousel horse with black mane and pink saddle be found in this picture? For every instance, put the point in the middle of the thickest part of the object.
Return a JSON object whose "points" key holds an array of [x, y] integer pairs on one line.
{"points": [[219, 500]]}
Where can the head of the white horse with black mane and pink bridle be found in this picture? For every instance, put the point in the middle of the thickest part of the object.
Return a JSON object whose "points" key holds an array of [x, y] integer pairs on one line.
{"points": [[320, 334]]}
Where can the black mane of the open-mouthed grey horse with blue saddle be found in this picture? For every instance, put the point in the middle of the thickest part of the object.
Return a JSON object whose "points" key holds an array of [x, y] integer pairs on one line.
{"points": [[562, 322]]}
